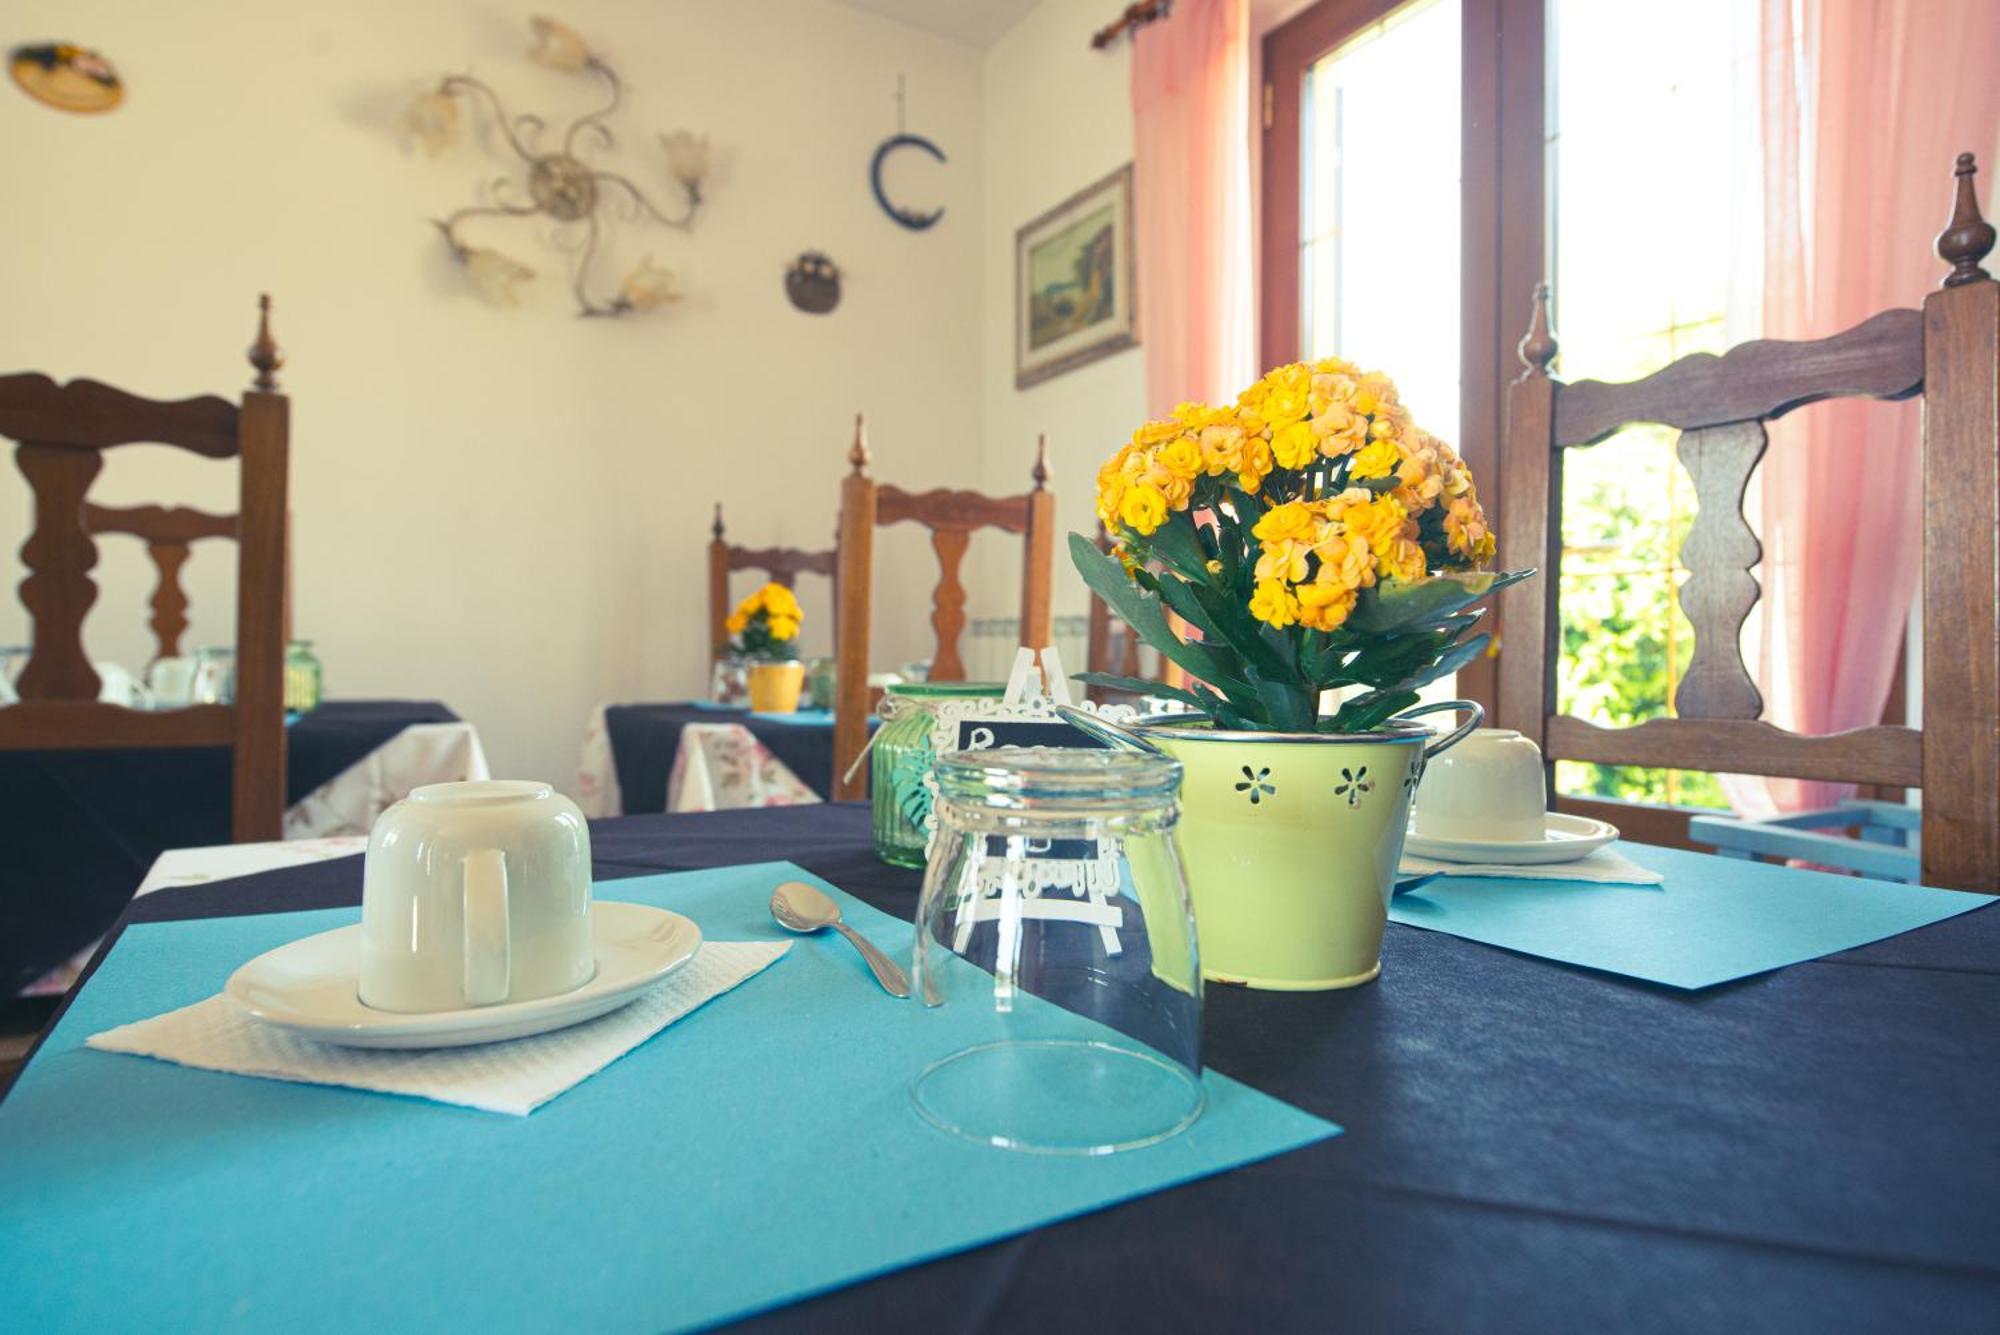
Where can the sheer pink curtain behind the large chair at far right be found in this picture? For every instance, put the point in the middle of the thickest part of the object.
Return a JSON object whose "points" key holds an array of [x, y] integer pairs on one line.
{"points": [[1865, 107]]}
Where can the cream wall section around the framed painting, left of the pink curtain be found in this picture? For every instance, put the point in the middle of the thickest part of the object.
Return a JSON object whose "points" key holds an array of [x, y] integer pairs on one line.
{"points": [[1059, 117]]}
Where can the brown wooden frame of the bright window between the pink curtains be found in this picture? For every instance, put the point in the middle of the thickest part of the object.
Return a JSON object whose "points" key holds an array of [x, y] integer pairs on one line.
{"points": [[1503, 237]]}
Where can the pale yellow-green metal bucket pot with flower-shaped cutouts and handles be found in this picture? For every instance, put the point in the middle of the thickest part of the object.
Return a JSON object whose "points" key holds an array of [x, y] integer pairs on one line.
{"points": [[1293, 842]]}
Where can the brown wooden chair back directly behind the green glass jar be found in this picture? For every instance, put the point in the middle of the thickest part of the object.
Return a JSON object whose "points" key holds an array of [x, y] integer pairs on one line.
{"points": [[951, 517]]}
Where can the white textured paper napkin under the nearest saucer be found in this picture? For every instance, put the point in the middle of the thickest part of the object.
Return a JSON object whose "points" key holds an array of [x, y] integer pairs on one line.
{"points": [[515, 1076]]}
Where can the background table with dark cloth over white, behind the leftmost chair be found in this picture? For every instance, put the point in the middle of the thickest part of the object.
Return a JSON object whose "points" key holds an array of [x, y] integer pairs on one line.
{"points": [[83, 828]]}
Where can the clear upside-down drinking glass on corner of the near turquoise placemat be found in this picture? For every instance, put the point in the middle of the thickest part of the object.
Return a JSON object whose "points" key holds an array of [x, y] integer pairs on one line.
{"points": [[1057, 954]]}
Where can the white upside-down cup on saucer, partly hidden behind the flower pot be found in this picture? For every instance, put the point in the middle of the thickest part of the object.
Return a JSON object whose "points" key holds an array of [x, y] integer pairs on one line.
{"points": [[1487, 802]]}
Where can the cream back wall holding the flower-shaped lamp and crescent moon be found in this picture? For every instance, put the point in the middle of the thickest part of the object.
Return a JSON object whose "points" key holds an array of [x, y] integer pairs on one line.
{"points": [[507, 511]]}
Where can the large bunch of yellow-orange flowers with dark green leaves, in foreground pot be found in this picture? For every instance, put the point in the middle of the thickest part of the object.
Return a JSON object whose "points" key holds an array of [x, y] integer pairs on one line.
{"points": [[1313, 535]]}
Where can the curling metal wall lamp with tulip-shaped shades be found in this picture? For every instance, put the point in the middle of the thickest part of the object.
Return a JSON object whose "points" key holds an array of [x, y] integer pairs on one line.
{"points": [[561, 183]]}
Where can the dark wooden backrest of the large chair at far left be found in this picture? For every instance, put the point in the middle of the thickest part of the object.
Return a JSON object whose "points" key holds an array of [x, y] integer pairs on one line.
{"points": [[61, 439]]}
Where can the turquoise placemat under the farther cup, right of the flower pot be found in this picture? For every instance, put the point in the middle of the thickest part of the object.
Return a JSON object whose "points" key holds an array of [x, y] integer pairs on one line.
{"points": [[1715, 920]]}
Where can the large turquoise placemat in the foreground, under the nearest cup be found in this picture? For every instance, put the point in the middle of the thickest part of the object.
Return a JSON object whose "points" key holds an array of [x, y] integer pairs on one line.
{"points": [[749, 1156]]}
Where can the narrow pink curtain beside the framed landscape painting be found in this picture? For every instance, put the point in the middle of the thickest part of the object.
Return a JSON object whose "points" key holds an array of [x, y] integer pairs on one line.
{"points": [[1191, 183]]}
